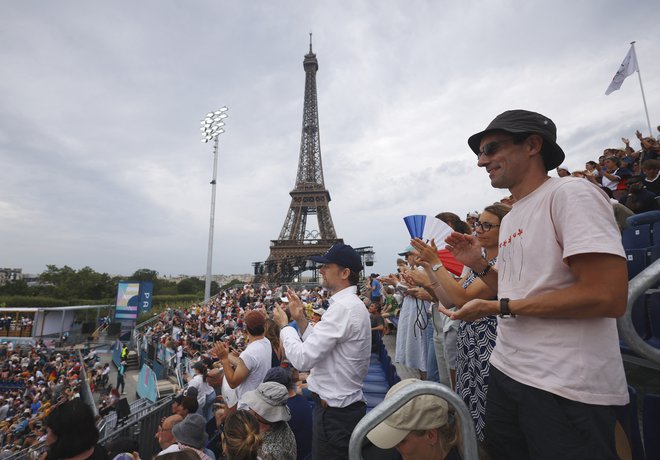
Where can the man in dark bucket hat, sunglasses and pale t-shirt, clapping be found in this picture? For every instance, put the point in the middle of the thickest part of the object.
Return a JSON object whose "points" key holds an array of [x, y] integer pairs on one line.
{"points": [[556, 370]]}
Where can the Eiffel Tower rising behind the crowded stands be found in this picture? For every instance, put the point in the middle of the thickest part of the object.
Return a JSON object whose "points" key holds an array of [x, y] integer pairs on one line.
{"points": [[290, 252]]}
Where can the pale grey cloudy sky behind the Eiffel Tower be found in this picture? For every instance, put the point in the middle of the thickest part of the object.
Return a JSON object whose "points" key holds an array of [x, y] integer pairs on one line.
{"points": [[101, 163]]}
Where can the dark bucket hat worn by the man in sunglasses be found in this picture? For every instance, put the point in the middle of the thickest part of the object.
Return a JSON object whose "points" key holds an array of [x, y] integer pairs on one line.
{"points": [[523, 121]]}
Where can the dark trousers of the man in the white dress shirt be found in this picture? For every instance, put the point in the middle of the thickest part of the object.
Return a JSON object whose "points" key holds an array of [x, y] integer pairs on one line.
{"points": [[332, 428]]}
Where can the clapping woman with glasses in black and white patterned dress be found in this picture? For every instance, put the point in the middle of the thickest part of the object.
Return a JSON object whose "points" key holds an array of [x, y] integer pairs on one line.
{"points": [[475, 339]]}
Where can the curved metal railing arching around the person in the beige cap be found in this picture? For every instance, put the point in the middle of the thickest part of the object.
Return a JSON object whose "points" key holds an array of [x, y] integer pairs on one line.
{"points": [[469, 447]]}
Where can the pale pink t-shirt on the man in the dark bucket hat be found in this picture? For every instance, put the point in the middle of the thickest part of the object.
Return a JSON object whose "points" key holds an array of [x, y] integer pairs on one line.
{"points": [[578, 359]]}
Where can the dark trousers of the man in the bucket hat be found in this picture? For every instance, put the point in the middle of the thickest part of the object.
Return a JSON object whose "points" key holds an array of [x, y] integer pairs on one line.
{"points": [[524, 422]]}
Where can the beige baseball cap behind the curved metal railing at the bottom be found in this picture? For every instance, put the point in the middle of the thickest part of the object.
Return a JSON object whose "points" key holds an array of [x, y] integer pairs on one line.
{"points": [[423, 412]]}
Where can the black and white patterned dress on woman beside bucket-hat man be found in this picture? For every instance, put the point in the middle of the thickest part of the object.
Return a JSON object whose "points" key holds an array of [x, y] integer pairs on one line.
{"points": [[475, 342]]}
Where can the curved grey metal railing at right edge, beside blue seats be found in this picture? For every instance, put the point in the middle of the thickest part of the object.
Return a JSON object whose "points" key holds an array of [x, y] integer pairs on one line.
{"points": [[648, 278]]}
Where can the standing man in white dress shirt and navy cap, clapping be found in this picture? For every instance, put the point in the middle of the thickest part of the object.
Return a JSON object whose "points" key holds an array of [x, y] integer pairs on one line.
{"points": [[336, 350]]}
